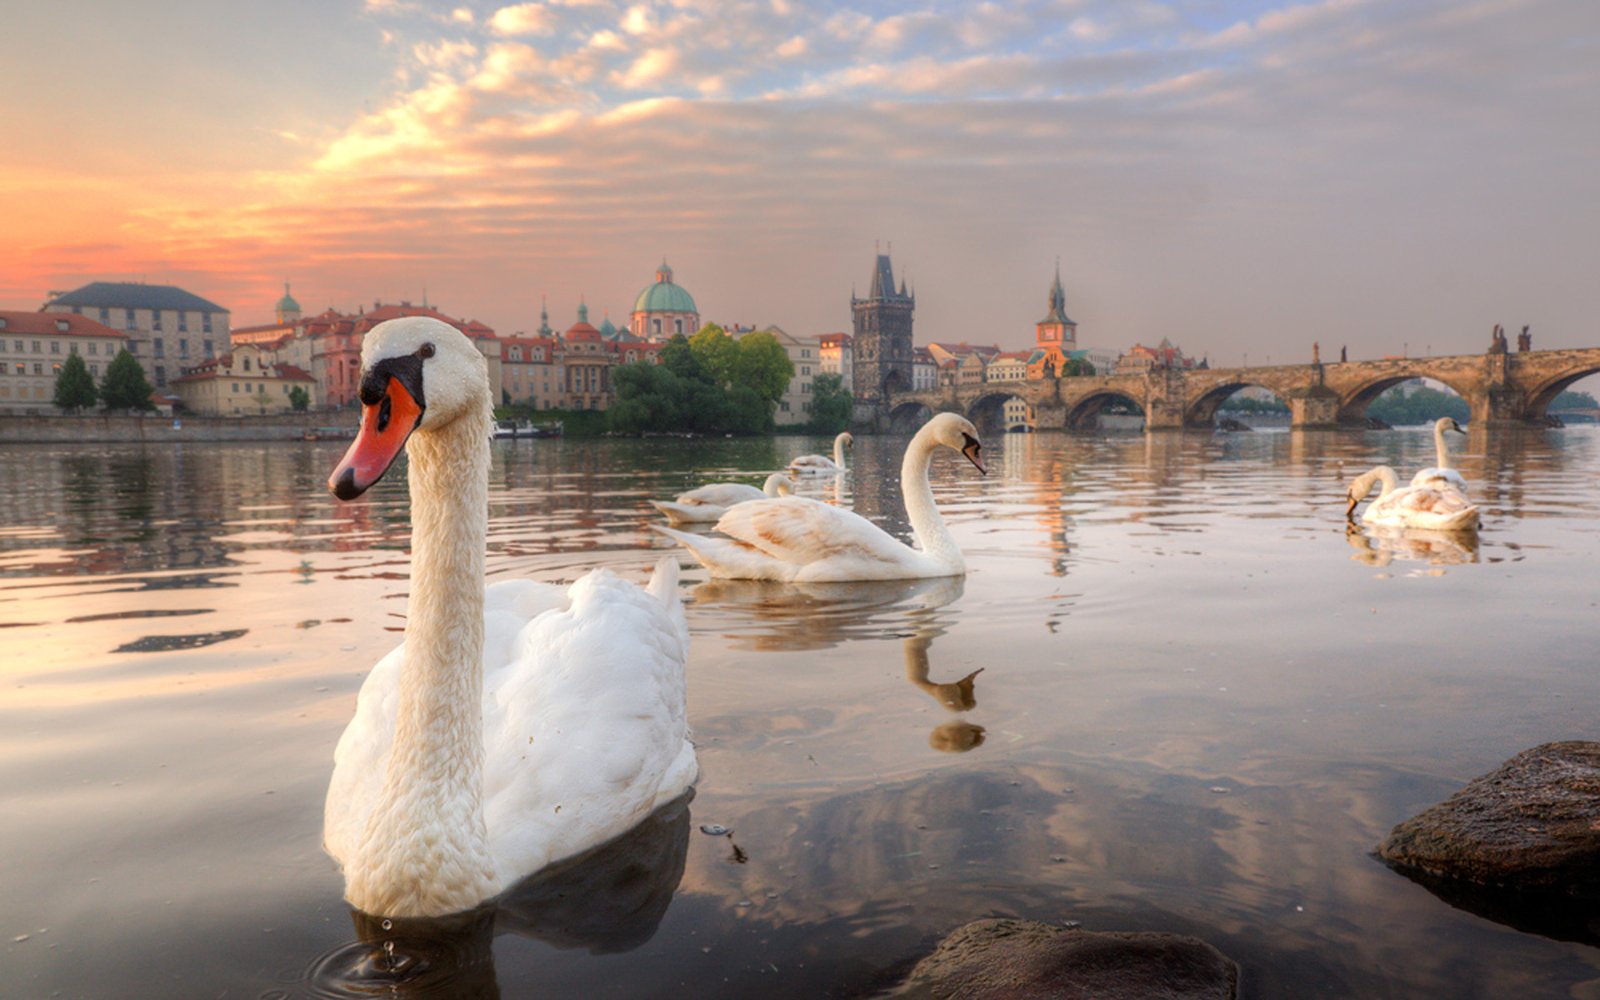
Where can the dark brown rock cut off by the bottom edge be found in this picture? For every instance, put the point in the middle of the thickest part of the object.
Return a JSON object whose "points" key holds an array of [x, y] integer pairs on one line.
{"points": [[1025, 959]]}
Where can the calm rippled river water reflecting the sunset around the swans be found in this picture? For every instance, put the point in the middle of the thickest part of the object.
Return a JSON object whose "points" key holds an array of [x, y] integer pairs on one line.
{"points": [[1201, 706]]}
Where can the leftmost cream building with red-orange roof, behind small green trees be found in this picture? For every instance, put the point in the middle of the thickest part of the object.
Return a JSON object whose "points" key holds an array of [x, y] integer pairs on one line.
{"points": [[34, 346]]}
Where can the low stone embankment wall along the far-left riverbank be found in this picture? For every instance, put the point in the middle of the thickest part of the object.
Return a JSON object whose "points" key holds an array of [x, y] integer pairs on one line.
{"points": [[153, 430]]}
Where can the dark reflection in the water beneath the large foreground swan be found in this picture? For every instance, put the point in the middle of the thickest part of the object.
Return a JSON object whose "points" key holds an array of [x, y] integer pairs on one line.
{"points": [[609, 900]]}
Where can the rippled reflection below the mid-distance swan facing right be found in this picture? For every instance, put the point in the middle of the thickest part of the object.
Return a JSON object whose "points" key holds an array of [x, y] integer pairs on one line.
{"points": [[825, 615]]}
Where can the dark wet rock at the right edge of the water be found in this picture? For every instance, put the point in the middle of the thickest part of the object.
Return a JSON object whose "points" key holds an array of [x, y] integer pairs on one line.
{"points": [[1534, 825]]}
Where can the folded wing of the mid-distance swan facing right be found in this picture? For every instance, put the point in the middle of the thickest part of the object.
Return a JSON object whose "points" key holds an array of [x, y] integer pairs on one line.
{"points": [[801, 530]]}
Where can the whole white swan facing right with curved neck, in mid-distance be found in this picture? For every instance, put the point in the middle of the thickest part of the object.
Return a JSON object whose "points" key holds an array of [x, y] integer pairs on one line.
{"points": [[796, 538]]}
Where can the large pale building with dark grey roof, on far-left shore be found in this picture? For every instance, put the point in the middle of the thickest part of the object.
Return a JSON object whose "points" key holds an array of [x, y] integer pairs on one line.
{"points": [[169, 329]]}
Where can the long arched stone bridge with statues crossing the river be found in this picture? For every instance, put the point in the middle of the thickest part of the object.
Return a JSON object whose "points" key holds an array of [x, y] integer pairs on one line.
{"points": [[1503, 390]]}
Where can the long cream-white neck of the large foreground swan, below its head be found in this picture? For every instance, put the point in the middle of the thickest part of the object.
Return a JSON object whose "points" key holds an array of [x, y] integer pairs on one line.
{"points": [[426, 844]]}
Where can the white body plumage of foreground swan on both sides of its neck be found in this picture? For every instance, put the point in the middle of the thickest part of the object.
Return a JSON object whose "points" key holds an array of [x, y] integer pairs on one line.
{"points": [[585, 722]]}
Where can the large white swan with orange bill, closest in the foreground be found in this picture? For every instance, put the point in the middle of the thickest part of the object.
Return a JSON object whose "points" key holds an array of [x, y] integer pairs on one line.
{"points": [[511, 729]]}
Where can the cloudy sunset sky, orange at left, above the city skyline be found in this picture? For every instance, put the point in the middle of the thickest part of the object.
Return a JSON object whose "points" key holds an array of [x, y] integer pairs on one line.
{"points": [[1244, 178]]}
